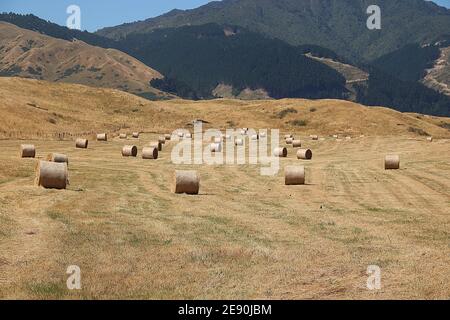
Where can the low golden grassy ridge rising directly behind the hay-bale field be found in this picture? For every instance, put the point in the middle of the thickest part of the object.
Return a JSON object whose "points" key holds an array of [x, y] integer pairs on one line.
{"points": [[42, 110]]}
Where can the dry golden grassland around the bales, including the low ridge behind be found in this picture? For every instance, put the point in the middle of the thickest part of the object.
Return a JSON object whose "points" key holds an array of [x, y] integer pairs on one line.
{"points": [[245, 236]]}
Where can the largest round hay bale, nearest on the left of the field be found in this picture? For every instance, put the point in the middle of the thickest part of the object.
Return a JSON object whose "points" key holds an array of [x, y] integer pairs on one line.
{"points": [[52, 175]]}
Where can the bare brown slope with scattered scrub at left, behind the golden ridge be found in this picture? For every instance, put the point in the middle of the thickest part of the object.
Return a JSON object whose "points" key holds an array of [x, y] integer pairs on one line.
{"points": [[30, 54]]}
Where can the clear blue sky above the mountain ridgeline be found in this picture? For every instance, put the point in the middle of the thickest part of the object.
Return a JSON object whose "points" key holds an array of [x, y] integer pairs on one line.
{"points": [[96, 14]]}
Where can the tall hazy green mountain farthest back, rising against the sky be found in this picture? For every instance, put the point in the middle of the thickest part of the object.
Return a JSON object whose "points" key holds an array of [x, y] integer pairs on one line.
{"points": [[337, 25]]}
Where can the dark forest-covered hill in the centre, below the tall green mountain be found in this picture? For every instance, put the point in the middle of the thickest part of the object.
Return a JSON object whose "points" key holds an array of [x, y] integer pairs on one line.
{"points": [[204, 57]]}
